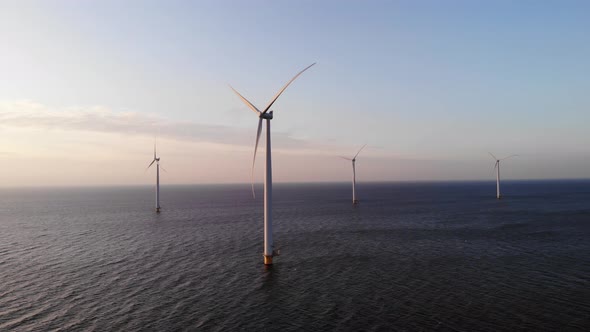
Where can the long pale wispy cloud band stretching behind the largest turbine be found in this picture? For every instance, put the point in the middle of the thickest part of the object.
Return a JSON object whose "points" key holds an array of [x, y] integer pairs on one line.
{"points": [[25, 114]]}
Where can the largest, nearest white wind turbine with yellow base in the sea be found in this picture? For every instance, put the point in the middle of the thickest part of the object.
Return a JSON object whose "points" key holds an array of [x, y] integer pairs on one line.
{"points": [[269, 251]]}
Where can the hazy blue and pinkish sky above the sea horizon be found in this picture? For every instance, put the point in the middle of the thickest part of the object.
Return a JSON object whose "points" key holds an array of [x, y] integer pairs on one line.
{"points": [[430, 86]]}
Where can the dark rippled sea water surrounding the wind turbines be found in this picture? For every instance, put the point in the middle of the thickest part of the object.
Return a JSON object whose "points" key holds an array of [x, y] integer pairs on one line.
{"points": [[409, 257]]}
